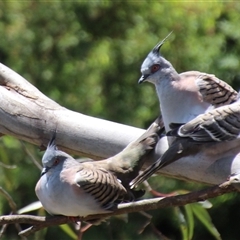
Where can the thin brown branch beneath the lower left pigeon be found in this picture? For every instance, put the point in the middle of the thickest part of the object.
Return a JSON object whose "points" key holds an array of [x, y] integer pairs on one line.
{"points": [[141, 205]]}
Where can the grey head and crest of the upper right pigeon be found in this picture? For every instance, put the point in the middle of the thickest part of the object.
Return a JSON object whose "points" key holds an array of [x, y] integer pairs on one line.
{"points": [[154, 67]]}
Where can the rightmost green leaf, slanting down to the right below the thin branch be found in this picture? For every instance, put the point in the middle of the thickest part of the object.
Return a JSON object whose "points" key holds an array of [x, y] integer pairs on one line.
{"points": [[204, 217]]}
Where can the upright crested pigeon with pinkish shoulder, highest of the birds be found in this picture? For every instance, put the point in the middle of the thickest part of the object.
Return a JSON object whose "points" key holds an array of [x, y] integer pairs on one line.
{"points": [[183, 96]]}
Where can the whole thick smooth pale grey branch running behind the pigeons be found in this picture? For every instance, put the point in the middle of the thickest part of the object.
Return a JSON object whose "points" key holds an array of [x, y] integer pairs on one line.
{"points": [[27, 114]]}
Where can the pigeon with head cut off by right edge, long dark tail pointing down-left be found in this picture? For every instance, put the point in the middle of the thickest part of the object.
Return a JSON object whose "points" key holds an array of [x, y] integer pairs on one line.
{"points": [[206, 131]]}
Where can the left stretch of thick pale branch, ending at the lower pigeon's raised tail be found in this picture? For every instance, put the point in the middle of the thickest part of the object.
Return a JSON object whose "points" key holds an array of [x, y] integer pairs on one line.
{"points": [[29, 115]]}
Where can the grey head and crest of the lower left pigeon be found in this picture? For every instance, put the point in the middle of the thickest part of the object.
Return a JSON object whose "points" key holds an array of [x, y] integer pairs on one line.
{"points": [[53, 158]]}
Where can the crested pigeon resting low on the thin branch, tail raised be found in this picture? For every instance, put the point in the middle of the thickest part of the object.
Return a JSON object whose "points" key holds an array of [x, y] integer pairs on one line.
{"points": [[71, 188]]}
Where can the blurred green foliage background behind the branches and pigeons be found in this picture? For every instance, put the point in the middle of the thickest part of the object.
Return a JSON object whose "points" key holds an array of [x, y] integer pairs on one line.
{"points": [[87, 56]]}
